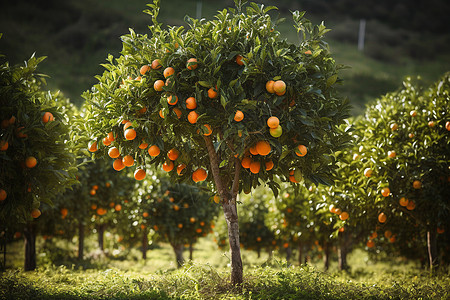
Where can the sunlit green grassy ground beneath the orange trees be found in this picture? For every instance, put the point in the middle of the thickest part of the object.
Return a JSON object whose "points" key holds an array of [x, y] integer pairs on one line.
{"points": [[206, 277]]}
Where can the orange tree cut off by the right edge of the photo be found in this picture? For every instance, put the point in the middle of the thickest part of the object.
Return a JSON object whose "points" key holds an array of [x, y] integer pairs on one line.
{"points": [[405, 145]]}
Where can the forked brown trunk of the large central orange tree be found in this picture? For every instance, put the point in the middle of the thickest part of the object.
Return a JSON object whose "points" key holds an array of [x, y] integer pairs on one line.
{"points": [[229, 197]]}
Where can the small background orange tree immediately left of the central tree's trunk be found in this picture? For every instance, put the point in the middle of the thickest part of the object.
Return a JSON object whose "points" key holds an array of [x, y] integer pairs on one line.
{"points": [[178, 213]]}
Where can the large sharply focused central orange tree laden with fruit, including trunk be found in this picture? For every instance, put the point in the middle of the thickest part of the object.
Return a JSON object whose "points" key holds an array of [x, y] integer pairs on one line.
{"points": [[238, 104]]}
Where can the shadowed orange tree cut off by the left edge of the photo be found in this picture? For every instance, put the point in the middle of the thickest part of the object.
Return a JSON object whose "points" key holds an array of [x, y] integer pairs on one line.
{"points": [[36, 162]]}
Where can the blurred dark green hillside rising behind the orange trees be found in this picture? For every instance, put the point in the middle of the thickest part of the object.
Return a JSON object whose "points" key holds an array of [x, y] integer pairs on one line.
{"points": [[404, 37]]}
